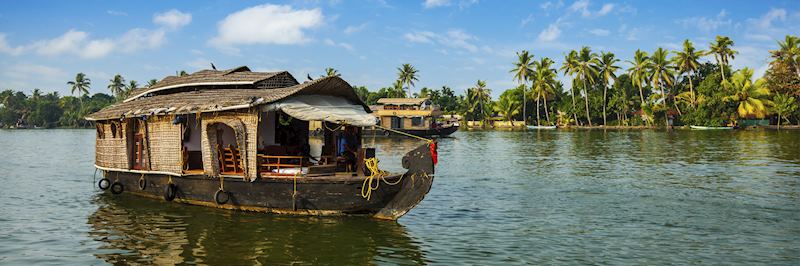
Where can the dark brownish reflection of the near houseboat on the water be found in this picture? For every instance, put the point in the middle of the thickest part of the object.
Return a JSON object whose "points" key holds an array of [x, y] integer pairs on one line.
{"points": [[134, 230]]}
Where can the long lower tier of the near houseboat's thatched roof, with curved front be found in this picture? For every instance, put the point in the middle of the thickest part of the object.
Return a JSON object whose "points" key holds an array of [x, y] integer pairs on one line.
{"points": [[220, 99]]}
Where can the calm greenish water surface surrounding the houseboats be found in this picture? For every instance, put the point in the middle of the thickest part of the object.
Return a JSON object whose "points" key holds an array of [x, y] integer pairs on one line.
{"points": [[564, 197]]}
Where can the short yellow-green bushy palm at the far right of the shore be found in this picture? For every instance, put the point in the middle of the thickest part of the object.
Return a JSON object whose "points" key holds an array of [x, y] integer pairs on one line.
{"points": [[751, 98]]}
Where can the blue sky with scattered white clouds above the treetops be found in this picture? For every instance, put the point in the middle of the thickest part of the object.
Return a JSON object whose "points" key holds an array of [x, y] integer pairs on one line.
{"points": [[44, 43]]}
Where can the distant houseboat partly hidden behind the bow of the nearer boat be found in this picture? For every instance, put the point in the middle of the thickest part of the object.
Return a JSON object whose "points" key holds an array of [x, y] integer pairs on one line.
{"points": [[414, 116]]}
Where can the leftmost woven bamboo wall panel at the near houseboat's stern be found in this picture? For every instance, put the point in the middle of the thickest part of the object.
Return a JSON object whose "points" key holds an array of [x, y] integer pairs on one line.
{"points": [[110, 150]]}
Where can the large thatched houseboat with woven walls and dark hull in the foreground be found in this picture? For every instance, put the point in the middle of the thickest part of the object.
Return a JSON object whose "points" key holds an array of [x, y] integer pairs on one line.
{"points": [[254, 141]]}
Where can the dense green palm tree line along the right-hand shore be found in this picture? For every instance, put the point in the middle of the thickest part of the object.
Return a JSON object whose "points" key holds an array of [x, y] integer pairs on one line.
{"points": [[650, 89]]}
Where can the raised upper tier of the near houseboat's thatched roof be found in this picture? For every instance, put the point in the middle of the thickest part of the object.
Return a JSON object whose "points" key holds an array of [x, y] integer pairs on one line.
{"points": [[241, 76]]}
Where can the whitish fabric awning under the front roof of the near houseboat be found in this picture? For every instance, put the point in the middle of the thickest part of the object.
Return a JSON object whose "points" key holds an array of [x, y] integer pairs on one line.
{"points": [[325, 108]]}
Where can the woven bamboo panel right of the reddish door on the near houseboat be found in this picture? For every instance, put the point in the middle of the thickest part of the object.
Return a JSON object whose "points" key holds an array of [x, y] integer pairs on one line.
{"points": [[164, 144]]}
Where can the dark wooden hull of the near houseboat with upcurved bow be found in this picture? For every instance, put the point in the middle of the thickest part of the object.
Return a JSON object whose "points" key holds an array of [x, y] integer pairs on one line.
{"points": [[330, 195]]}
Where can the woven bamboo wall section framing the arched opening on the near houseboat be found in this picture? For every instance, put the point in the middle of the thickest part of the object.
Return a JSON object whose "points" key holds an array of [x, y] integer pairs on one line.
{"points": [[245, 124]]}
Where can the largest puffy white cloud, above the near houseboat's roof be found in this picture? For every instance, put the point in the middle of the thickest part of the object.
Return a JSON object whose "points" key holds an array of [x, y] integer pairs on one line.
{"points": [[266, 24]]}
